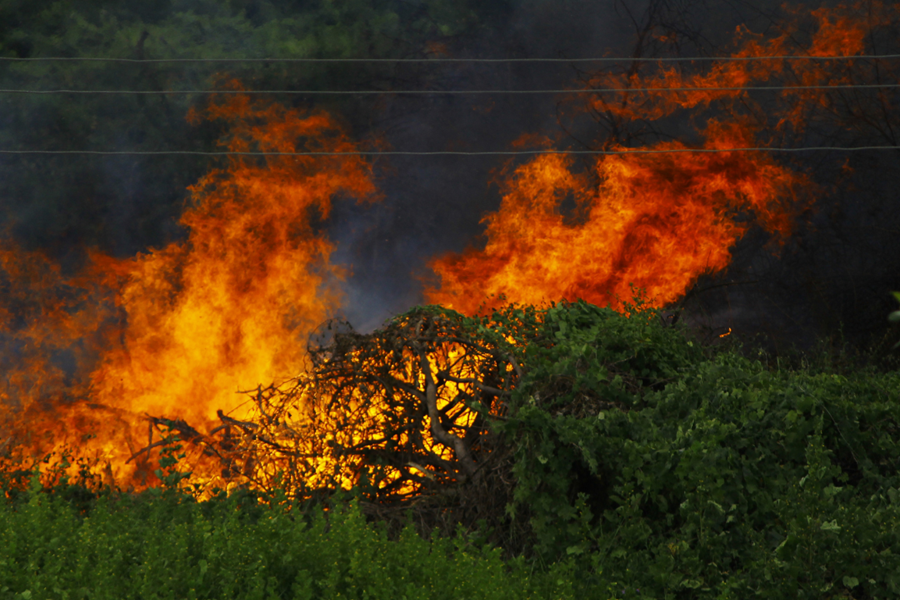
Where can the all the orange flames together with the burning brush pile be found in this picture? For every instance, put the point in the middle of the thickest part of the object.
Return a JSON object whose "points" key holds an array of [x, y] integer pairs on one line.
{"points": [[105, 362]]}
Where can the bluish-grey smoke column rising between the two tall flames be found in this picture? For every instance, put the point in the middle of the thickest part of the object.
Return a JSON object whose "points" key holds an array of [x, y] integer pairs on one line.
{"points": [[434, 205]]}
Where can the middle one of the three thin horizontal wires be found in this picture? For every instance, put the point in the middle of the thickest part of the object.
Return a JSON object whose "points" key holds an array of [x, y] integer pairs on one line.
{"points": [[460, 92]]}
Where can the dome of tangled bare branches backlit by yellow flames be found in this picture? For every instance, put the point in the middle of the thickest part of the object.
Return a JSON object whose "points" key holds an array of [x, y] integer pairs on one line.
{"points": [[402, 411]]}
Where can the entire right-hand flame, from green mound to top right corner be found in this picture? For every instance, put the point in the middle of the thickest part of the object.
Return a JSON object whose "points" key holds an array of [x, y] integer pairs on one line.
{"points": [[658, 221]]}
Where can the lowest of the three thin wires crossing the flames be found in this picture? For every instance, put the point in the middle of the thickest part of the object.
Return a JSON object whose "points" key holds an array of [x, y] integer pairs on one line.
{"points": [[440, 152]]}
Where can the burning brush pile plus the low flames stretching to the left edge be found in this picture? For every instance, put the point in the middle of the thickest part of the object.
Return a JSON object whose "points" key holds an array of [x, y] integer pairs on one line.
{"points": [[402, 415]]}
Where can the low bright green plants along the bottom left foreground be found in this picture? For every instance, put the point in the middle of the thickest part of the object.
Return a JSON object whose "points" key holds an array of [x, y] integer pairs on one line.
{"points": [[168, 546]]}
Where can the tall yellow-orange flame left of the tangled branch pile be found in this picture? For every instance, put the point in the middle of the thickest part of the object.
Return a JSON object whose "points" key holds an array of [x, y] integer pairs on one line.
{"points": [[226, 309]]}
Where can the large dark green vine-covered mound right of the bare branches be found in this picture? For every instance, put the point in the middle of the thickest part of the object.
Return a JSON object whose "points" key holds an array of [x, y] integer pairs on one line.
{"points": [[692, 476]]}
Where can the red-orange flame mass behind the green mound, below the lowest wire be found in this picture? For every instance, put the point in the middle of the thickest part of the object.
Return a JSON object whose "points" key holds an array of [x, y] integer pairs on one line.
{"points": [[651, 221]]}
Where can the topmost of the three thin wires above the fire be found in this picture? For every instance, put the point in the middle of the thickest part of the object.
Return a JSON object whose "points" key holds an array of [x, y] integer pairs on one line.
{"points": [[603, 59]]}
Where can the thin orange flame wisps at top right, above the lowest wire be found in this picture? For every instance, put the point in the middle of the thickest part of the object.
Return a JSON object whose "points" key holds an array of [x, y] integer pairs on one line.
{"points": [[838, 31]]}
